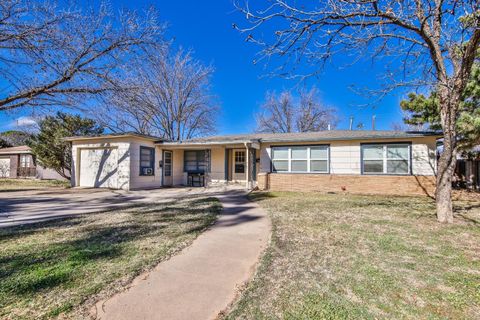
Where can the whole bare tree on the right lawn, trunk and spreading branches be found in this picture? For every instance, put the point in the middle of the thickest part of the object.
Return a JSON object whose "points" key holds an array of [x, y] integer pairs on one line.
{"points": [[428, 42]]}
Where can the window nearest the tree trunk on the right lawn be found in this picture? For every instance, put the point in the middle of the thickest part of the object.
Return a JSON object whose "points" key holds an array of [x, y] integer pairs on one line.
{"points": [[386, 158]]}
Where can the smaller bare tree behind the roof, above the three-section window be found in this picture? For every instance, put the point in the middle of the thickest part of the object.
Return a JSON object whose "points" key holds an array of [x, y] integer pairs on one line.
{"points": [[284, 113]]}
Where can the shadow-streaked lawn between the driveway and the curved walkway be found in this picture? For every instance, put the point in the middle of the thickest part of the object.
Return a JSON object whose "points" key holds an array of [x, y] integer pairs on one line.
{"points": [[63, 267]]}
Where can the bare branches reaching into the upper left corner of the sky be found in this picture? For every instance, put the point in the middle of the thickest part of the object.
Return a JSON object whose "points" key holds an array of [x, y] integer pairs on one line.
{"points": [[51, 55]]}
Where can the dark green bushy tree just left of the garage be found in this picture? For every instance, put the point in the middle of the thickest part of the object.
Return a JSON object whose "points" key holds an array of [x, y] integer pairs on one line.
{"points": [[50, 148]]}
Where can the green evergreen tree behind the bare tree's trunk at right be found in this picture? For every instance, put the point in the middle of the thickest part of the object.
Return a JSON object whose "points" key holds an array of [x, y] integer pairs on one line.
{"points": [[424, 111]]}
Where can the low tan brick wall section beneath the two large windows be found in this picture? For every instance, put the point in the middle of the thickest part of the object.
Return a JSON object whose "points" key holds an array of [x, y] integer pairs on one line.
{"points": [[360, 184]]}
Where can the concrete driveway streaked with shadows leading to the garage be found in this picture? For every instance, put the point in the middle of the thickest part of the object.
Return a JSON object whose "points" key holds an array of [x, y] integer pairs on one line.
{"points": [[21, 207]]}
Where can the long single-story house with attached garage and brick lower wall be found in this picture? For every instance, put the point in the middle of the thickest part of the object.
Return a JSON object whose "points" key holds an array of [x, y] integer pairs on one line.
{"points": [[386, 162]]}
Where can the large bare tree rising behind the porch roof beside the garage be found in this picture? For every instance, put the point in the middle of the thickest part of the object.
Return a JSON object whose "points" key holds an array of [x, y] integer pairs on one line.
{"points": [[170, 98]]}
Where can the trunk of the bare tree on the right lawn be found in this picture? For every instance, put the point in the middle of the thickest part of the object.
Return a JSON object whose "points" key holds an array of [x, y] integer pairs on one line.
{"points": [[446, 165]]}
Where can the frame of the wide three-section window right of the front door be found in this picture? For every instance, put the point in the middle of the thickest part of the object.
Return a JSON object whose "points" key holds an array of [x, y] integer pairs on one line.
{"points": [[308, 159]]}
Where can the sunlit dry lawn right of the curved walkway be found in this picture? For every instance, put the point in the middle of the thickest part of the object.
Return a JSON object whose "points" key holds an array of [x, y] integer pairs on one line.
{"points": [[338, 256]]}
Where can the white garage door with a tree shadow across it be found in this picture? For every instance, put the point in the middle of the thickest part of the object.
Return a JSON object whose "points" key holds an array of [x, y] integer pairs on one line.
{"points": [[99, 168]]}
